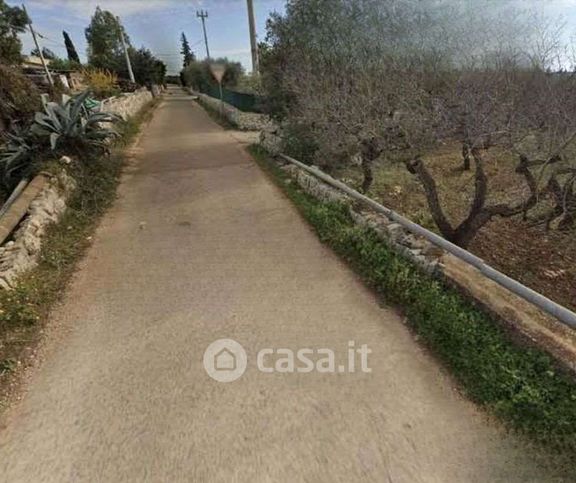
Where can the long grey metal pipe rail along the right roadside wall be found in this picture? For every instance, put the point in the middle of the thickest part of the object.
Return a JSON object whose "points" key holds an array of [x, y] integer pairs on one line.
{"points": [[559, 312]]}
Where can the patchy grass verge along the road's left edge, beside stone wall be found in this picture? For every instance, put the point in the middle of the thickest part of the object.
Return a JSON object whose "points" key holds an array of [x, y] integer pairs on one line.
{"points": [[24, 310]]}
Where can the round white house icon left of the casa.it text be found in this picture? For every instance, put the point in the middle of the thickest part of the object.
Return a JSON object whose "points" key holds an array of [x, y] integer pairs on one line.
{"points": [[225, 360]]}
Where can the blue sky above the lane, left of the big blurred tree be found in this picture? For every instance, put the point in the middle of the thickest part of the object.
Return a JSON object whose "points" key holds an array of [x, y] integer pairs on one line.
{"points": [[155, 24]]}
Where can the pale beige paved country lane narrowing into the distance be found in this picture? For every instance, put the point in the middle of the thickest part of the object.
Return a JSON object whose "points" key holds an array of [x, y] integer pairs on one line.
{"points": [[318, 382]]}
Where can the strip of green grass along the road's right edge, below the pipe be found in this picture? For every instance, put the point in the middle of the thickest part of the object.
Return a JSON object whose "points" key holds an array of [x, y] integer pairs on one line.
{"points": [[520, 385]]}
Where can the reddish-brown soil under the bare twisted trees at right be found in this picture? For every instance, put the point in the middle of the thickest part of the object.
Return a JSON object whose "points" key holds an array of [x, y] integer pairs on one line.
{"points": [[543, 261]]}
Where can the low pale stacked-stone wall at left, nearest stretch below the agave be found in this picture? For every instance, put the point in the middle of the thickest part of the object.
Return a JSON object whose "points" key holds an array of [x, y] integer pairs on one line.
{"points": [[21, 254]]}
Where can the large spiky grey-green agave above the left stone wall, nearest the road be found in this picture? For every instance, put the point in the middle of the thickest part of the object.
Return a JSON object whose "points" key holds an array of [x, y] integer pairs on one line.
{"points": [[71, 125]]}
